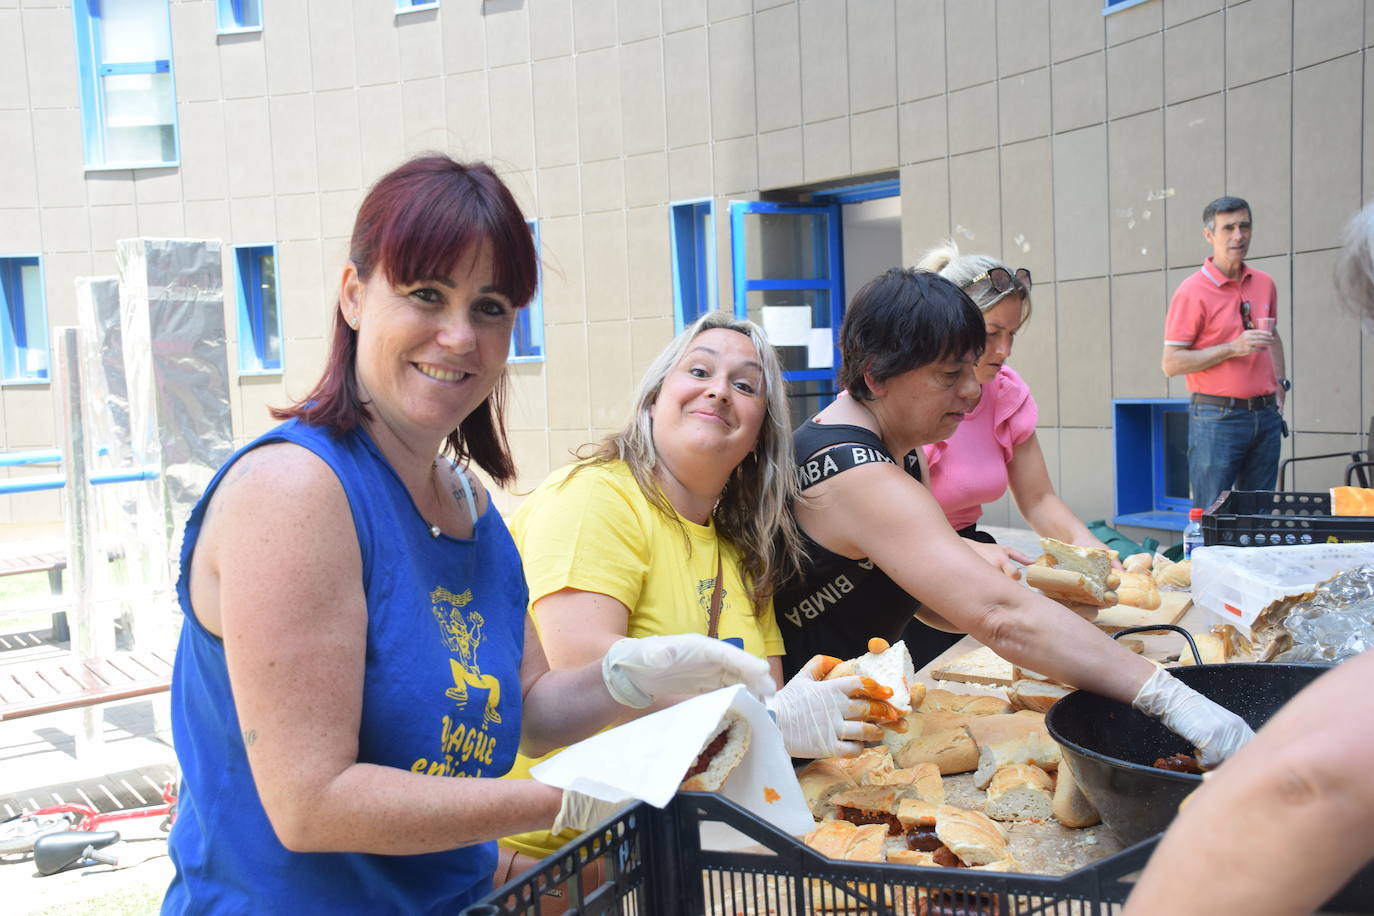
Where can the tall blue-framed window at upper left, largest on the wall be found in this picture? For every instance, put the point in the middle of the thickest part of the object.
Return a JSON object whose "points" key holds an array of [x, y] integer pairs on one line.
{"points": [[128, 98]]}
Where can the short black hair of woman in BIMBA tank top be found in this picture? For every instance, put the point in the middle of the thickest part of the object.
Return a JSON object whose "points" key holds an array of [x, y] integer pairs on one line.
{"points": [[902, 321]]}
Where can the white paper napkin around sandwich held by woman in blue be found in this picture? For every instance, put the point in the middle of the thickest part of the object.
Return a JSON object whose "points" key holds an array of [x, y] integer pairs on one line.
{"points": [[646, 760]]}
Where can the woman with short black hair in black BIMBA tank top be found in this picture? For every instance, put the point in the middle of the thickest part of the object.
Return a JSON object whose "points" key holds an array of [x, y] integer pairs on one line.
{"points": [[879, 547]]}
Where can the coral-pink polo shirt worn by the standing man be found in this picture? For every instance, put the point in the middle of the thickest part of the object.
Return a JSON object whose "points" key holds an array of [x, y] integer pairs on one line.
{"points": [[1207, 311]]}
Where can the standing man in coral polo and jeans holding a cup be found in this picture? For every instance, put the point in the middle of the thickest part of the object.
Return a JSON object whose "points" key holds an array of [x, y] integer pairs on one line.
{"points": [[1219, 333]]}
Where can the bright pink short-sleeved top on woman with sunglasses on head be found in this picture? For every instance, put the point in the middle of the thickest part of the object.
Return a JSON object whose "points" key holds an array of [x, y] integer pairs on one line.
{"points": [[969, 470]]}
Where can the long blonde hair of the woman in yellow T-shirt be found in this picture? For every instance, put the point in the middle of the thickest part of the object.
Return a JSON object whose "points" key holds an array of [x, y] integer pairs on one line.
{"points": [[754, 509]]}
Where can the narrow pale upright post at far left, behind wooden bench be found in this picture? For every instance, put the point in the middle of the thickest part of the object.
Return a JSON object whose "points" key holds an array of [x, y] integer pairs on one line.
{"points": [[76, 498]]}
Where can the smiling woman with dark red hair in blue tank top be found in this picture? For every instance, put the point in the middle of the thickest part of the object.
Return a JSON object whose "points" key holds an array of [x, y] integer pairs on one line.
{"points": [[357, 667]]}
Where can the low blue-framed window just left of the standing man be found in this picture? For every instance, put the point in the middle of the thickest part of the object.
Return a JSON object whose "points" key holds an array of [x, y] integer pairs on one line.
{"points": [[1152, 462]]}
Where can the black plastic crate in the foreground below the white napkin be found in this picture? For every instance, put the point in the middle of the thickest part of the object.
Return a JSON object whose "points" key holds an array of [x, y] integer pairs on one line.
{"points": [[655, 866]]}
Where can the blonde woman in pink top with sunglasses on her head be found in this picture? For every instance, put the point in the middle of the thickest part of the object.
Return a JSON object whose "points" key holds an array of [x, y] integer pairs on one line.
{"points": [[995, 447]]}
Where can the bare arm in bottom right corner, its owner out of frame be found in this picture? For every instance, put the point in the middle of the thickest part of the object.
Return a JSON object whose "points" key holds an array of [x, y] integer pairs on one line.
{"points": [[1285, 822]]}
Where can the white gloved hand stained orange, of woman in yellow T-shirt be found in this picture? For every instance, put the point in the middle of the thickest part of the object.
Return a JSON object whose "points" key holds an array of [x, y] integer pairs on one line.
{"points": [[821, 719]]}
